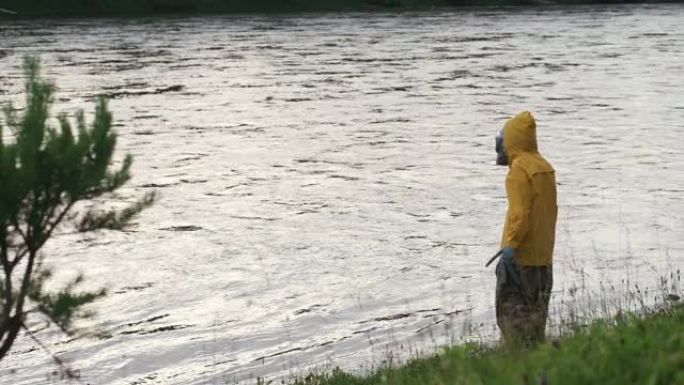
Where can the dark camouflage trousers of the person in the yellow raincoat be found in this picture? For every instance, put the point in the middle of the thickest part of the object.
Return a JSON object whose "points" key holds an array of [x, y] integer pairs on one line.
{"points": [[521, 312]]}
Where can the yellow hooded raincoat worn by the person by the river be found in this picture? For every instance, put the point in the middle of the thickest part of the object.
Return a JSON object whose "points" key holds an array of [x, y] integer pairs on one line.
{"points": [[531, 189]]}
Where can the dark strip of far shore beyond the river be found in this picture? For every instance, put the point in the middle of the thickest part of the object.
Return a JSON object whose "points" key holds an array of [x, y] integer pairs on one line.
{"points": [[16, 10]]}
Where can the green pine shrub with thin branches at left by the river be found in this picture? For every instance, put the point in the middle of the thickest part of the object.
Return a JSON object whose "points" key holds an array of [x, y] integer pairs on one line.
{"points": [[44, 172]]}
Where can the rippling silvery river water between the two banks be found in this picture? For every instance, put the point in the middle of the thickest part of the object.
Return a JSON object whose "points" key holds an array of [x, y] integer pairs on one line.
{"points": [[328, 188]]}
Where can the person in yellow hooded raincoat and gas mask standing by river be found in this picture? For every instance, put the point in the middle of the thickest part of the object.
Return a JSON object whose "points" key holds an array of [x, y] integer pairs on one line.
{"points": [[524, 272]]}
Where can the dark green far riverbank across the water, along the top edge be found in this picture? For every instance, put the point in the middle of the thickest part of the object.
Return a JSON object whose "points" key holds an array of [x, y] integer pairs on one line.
{"points": [[33, 8]]}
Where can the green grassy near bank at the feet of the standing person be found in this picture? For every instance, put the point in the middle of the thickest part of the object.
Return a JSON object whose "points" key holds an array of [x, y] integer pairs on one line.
{"points": [[626, 350]]}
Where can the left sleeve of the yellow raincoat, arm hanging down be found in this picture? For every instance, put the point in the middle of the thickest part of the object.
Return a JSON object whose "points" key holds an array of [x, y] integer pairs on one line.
{"points": [[519, 192]]}
